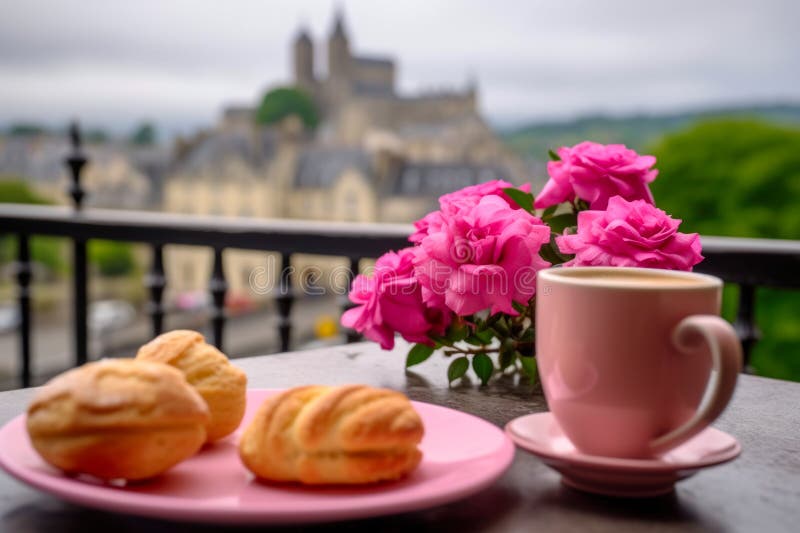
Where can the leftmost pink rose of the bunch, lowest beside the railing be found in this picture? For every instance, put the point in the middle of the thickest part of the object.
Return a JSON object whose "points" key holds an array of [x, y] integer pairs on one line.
{"points": [[391, 301]]}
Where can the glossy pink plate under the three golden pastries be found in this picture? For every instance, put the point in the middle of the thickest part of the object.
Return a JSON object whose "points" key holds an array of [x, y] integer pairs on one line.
{"points": [[462, 454]]}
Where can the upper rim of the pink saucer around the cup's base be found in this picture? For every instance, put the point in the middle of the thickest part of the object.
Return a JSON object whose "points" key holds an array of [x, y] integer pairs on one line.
{"points": [[620, 464]]}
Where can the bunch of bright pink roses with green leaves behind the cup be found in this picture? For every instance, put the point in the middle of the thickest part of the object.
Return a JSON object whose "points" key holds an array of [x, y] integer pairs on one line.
{"points": [[467, 284]]}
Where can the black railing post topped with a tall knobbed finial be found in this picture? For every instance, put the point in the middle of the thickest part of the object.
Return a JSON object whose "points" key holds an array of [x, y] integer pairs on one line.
{"points": [[75, 162]]}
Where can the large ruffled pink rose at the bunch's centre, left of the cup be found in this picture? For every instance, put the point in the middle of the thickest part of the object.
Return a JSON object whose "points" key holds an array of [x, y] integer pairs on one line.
{"points": [[485, 256]]}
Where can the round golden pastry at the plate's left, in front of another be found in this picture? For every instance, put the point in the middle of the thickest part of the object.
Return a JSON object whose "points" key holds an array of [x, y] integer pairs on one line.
{"points": [[117, 419]]}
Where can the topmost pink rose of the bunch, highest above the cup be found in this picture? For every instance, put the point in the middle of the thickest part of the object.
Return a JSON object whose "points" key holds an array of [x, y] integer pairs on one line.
{"points": [[596, 172]]}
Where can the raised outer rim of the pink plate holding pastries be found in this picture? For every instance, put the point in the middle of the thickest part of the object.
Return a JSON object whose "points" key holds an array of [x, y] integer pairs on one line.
{"points": [[96, 496]]}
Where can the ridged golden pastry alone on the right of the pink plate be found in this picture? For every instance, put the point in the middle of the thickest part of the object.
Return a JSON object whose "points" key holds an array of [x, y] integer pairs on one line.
{"points": [[319, 435]]}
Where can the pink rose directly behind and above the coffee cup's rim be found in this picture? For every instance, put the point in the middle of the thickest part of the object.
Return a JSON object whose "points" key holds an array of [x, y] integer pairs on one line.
{"points": [[631, 234]]}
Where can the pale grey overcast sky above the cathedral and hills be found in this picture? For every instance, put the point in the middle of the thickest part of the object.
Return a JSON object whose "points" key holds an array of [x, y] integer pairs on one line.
{"points": [[113, 63]]}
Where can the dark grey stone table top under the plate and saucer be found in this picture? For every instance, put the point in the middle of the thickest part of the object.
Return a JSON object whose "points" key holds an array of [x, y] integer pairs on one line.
{"points": [[759, 491]]}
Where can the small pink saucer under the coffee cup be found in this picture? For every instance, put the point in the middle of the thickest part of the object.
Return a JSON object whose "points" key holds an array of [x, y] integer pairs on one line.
{"points": [[541, 435]]}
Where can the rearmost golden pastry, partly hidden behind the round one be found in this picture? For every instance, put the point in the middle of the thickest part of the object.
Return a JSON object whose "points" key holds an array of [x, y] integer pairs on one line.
{"points": [[222, 385]]}
